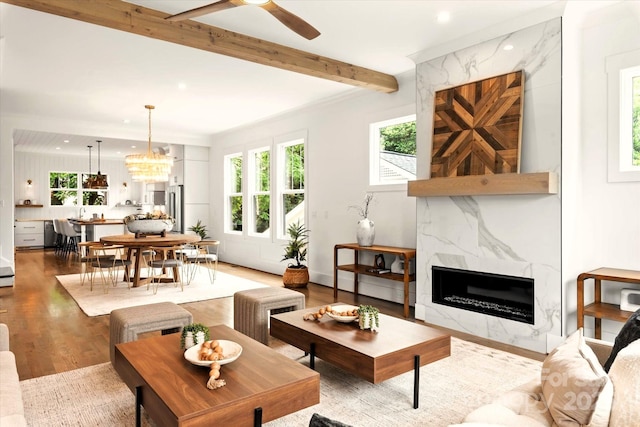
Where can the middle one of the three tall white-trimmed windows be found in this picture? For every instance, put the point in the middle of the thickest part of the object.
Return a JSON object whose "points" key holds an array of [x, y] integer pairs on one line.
{"points": [[260, 191]]}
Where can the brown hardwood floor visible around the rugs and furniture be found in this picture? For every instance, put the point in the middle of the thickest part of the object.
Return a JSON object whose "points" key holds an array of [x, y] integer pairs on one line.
{"points": [[50, 334]]}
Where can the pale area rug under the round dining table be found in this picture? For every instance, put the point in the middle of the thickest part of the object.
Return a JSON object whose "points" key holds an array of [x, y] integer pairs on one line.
{"points": [[96, 302]]}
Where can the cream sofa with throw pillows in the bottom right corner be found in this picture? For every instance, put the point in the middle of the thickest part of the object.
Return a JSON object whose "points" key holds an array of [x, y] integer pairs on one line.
{"points": [[573, 390]]}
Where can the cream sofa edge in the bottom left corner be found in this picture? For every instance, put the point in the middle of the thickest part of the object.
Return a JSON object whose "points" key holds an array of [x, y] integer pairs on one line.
{"points": [[11, 408]]}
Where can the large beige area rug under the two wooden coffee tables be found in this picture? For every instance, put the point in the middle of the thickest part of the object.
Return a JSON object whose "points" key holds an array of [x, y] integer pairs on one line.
{"points": [[449, 389]]}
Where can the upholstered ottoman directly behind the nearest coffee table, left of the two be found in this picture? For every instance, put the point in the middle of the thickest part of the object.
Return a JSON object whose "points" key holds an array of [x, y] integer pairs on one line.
{"points": [[126, 323]]}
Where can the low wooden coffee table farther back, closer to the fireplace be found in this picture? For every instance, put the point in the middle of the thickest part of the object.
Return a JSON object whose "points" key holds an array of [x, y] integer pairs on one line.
{"points": [[398, 346]]}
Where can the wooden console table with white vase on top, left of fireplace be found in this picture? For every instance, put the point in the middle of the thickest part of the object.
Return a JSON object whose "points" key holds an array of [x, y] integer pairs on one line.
{"points": [[356, 268]]}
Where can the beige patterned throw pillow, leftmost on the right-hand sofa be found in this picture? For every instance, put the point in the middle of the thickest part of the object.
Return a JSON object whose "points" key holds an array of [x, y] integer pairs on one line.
{"points": [[572, 380]]}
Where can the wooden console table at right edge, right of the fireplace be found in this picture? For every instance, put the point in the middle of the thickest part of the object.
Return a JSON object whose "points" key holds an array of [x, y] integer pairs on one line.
{"points": [[600, 310]]}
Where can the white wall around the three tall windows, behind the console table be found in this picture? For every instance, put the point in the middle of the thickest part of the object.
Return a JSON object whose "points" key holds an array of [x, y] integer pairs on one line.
{"points": [[338, 166]]}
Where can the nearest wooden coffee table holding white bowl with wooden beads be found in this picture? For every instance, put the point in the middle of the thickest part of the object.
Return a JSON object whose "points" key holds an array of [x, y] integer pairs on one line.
{"points": [[262, 385]]}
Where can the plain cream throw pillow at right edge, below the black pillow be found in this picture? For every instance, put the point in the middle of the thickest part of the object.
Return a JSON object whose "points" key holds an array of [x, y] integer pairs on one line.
{"points": [[625, 375]]}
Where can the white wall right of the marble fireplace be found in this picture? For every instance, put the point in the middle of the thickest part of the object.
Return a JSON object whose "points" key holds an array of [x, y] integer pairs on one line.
{"points": [[607, 214]]}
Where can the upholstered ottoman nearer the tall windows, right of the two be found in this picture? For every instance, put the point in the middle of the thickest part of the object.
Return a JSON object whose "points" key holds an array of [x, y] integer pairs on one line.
{"points": [[251, 309]]}
